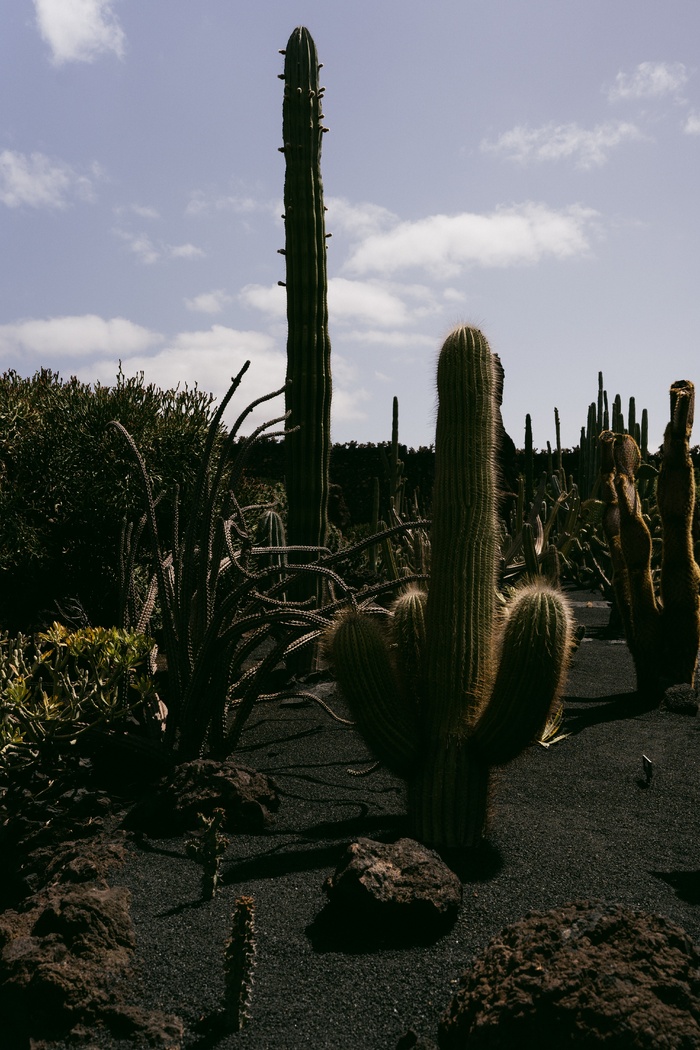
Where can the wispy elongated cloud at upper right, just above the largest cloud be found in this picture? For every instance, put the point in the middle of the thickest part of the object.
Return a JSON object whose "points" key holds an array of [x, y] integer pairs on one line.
{"points": [[588, 148]]}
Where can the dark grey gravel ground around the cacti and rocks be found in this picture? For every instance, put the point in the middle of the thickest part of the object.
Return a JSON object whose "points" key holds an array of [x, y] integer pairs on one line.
{"points": [[576, 821]]}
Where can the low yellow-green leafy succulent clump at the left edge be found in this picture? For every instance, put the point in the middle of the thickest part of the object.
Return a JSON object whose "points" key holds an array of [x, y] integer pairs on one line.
{"points": [[65, 685]]}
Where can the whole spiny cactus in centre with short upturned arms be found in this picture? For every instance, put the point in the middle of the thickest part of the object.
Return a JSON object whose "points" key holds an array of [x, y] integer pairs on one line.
{"points": [[455, 686]]}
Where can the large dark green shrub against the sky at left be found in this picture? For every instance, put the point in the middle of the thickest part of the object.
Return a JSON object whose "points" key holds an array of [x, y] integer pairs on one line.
{"points": [[66, 485]]}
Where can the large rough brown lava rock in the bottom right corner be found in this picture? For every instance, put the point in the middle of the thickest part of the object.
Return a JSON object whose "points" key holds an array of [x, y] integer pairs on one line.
{"points": [[585, 975]]}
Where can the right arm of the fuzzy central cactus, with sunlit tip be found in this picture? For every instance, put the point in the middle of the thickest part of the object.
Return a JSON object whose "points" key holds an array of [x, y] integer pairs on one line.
{"points": [[535, 659]]}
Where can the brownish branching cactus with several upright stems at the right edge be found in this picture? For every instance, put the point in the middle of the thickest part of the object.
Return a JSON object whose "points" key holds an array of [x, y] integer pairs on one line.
{"points": [[663, 632]]}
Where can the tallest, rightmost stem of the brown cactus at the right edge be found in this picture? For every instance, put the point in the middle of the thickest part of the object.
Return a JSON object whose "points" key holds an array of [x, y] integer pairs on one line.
{"points": [[681, 578]]}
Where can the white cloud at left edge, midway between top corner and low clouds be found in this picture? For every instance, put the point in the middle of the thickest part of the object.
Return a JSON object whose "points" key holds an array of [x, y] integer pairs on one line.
{"points": [[36, 181]]}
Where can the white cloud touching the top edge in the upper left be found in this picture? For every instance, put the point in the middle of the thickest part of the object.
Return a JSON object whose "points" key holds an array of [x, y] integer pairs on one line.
{"points": [[79, 31]]}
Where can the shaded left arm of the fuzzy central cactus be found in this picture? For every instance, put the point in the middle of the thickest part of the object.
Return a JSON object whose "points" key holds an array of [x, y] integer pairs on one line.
{"points": [[365, 671]]}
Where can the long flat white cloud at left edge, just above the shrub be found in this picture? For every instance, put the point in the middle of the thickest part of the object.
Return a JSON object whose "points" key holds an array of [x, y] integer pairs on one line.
{"points": [[80, 337]]}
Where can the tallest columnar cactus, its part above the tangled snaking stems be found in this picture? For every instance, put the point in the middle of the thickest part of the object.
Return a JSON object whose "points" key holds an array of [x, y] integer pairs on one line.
{"points": [[308, 447]]}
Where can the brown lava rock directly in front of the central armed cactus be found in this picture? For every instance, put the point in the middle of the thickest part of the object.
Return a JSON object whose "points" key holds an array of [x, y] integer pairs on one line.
{"points": [[401, 889]]}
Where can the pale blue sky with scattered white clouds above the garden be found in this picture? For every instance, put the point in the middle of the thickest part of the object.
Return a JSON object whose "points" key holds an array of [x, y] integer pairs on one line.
{"points": [[532, 169]]}
